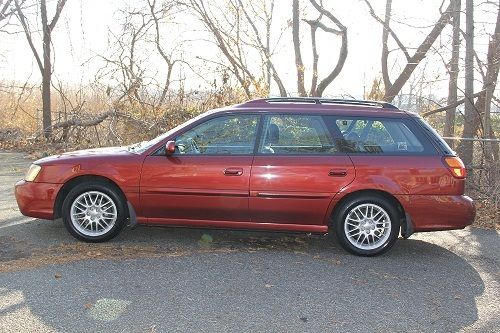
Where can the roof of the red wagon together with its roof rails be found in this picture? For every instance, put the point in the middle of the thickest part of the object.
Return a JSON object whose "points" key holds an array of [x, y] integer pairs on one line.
{"points": [[320, 106]]}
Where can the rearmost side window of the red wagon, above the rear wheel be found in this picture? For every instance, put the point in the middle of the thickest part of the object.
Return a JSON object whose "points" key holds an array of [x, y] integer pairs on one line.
{"points": [[379, 136]]}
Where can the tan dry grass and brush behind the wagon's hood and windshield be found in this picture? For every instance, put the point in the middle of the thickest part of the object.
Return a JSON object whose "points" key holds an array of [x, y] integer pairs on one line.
{"points": [[135, 121]]}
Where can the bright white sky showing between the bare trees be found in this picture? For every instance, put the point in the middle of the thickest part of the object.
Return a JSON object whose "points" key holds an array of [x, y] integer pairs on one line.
{"points": [[84, 29]]}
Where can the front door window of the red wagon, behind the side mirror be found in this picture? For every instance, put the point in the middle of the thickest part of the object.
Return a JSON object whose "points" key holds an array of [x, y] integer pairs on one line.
{"points": [[226, 135]]}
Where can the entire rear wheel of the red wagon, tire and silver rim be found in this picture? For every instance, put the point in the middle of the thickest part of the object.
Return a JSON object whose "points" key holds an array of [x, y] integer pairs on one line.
{"points": [[367, 225]]}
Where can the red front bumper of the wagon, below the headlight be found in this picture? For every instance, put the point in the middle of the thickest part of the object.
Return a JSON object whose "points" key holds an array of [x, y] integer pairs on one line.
{"points": [[36, 199]]}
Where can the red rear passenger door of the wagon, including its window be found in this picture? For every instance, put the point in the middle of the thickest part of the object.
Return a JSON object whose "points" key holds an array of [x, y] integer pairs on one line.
{"points": [[297, 171]]}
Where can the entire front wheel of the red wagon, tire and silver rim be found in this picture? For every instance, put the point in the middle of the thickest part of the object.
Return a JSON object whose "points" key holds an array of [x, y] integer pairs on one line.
{"points": [[94, 212]]}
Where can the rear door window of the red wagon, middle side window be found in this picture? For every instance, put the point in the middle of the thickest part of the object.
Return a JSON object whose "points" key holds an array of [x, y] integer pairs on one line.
{"points": [[295, 135]]}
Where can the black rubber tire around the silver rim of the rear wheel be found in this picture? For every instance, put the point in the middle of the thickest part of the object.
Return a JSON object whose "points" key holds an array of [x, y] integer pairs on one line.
{"points": [[347, 206]]}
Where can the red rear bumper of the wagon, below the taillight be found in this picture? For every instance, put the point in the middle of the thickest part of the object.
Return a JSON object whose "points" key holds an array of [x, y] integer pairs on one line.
{"points": [[439, 212]]}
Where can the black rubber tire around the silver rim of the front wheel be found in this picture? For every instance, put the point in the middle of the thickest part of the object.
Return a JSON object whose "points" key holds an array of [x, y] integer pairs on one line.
{"points": [[108, 190]]}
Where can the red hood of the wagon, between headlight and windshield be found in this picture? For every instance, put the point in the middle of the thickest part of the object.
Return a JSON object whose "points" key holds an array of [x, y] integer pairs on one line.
{"points": [[77, 155]]}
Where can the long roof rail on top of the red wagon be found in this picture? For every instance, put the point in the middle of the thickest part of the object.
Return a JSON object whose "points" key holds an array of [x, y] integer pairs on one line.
{"points": [[319, 100]]}
